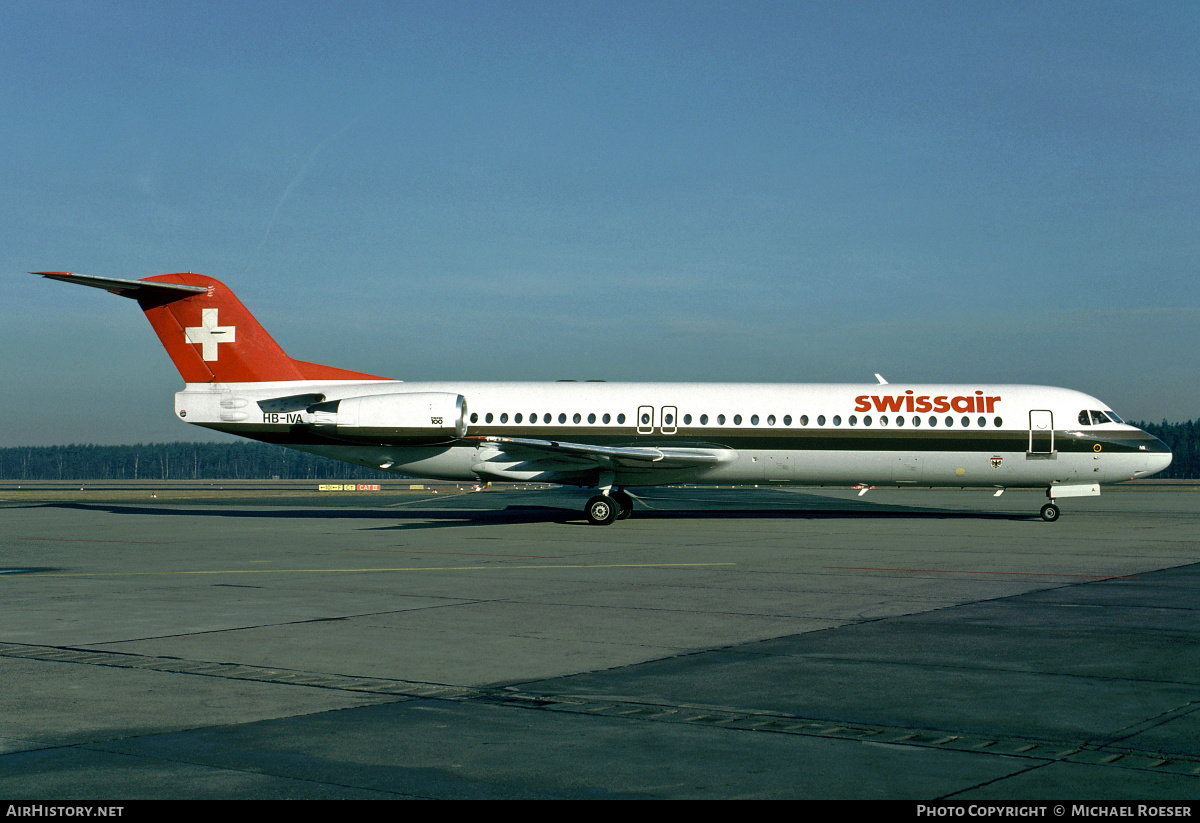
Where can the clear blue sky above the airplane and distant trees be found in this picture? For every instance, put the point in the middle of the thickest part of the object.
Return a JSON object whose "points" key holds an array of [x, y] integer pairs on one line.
{"points": [[637, 191]]}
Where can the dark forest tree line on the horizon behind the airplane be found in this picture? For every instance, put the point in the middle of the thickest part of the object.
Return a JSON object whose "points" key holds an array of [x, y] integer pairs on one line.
{"points": [[261, 461]]}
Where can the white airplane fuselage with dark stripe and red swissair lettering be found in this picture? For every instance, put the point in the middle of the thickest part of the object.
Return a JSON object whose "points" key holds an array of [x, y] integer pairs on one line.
{"points": [[1000, 436]]}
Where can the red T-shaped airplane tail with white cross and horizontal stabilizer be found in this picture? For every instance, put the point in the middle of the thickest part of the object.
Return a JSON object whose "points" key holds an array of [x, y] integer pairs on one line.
{"points": [[209, 335]]}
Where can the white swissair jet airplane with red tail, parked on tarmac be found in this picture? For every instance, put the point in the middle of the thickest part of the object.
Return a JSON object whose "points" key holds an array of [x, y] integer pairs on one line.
{"points": [[613, 436]]}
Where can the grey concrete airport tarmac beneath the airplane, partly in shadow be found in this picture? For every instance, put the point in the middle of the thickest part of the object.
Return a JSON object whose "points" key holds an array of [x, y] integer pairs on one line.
{"points": [[908, 645]]}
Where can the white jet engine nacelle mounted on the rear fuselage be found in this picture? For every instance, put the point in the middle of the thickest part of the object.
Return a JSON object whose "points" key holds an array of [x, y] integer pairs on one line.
{"points": [[407, 414]]}
